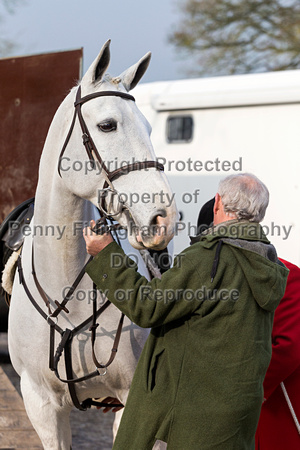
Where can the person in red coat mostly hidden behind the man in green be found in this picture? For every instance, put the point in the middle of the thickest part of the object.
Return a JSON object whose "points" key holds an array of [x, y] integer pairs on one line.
{"points": [[279, 421]]}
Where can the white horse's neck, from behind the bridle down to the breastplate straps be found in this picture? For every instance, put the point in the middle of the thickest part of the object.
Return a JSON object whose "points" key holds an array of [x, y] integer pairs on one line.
{"points": [[59, 215]]}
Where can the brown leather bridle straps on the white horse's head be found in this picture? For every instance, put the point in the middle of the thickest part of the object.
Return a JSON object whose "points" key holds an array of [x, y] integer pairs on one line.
{"points": [[90, 146]]}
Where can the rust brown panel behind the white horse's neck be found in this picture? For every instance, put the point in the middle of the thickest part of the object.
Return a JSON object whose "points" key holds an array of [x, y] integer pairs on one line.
{"points": [[31, 89]]}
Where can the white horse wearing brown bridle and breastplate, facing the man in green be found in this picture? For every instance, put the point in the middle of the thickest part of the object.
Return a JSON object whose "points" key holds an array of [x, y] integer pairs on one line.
{"points": [[70, 186]]}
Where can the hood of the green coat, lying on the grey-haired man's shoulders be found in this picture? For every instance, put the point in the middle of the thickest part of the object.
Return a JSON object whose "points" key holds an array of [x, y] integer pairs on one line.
{"points": [[256, 256]]}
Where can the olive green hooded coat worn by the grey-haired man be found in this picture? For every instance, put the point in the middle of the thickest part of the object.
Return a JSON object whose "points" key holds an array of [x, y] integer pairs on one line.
{"points": [[198, 383]]}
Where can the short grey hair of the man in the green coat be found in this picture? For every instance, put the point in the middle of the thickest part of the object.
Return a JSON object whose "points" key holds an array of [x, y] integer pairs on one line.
{"points": [[244, 196]]}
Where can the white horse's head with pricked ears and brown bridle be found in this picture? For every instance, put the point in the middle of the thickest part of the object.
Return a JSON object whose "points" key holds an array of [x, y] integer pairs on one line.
{"points": [[109, 157]]}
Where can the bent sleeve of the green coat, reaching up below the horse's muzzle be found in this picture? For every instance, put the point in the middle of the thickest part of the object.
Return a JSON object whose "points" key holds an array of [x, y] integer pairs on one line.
{"points": [[146, 303]]}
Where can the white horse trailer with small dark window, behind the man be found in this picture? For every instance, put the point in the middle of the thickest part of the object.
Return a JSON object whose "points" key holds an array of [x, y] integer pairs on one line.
{"points": [[205, 129]]}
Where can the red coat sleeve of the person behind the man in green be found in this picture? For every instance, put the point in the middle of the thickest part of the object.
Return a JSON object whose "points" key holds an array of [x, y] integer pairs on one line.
{"points": [[286, 334]]}
